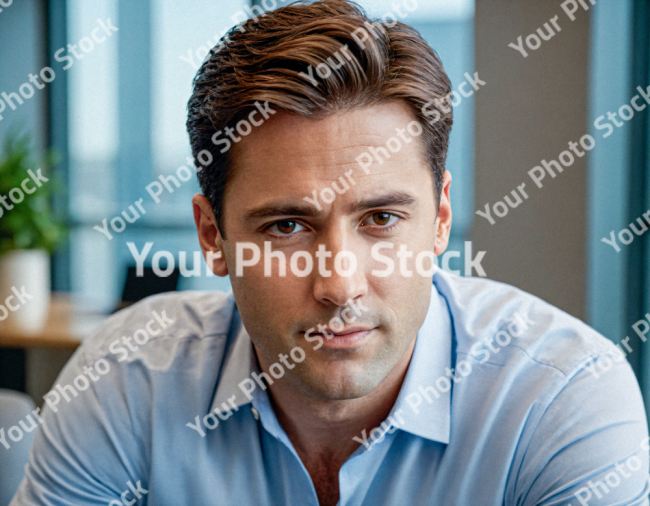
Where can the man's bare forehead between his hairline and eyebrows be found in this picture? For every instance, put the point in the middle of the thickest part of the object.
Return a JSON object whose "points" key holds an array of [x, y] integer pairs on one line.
{"points": [[293, 156]]}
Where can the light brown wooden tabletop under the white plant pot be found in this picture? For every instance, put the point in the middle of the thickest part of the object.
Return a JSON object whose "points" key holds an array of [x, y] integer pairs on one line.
{"points": [[67, 325]]}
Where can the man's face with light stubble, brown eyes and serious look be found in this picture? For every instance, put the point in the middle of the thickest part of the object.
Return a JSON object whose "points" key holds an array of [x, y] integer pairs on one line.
{"points": [[276, 167]]}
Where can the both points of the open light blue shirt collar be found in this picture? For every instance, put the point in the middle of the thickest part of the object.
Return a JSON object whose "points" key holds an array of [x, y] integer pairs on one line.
{"points": [[431, 356]]}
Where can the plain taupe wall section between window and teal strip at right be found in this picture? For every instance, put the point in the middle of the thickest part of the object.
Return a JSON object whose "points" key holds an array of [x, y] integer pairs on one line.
{"points": [[529, 110]]}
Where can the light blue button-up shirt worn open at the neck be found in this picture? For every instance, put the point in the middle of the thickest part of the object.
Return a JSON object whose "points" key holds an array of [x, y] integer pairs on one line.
{"points": [[539, 410]]}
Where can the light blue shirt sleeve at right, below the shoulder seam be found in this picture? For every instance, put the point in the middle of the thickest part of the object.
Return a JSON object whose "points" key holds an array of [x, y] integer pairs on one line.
{"points": [[591, 445]]}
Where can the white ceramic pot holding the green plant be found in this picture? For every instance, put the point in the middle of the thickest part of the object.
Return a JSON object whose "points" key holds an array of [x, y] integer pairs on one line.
{"points": [[25, 289]]}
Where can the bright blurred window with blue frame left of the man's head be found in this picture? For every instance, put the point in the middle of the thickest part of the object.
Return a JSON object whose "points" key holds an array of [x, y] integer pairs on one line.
{"points": [[127, 128]]}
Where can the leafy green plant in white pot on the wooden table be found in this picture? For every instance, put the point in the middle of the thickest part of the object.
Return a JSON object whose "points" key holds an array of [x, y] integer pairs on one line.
{"points": [[29, 232]]}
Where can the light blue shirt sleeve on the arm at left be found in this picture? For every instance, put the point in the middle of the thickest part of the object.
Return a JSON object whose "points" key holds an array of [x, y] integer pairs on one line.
{"points": [[88, 449]]}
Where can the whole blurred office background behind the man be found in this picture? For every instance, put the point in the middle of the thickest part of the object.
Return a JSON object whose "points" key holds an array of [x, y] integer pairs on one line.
{"points": [[114, 120]]}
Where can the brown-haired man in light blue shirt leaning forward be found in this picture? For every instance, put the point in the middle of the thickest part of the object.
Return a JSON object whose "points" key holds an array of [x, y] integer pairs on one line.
{"points": [[344, 368]]}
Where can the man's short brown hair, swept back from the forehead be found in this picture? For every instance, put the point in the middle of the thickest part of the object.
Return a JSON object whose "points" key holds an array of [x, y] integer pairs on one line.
{"points": [[267, 59]]}
